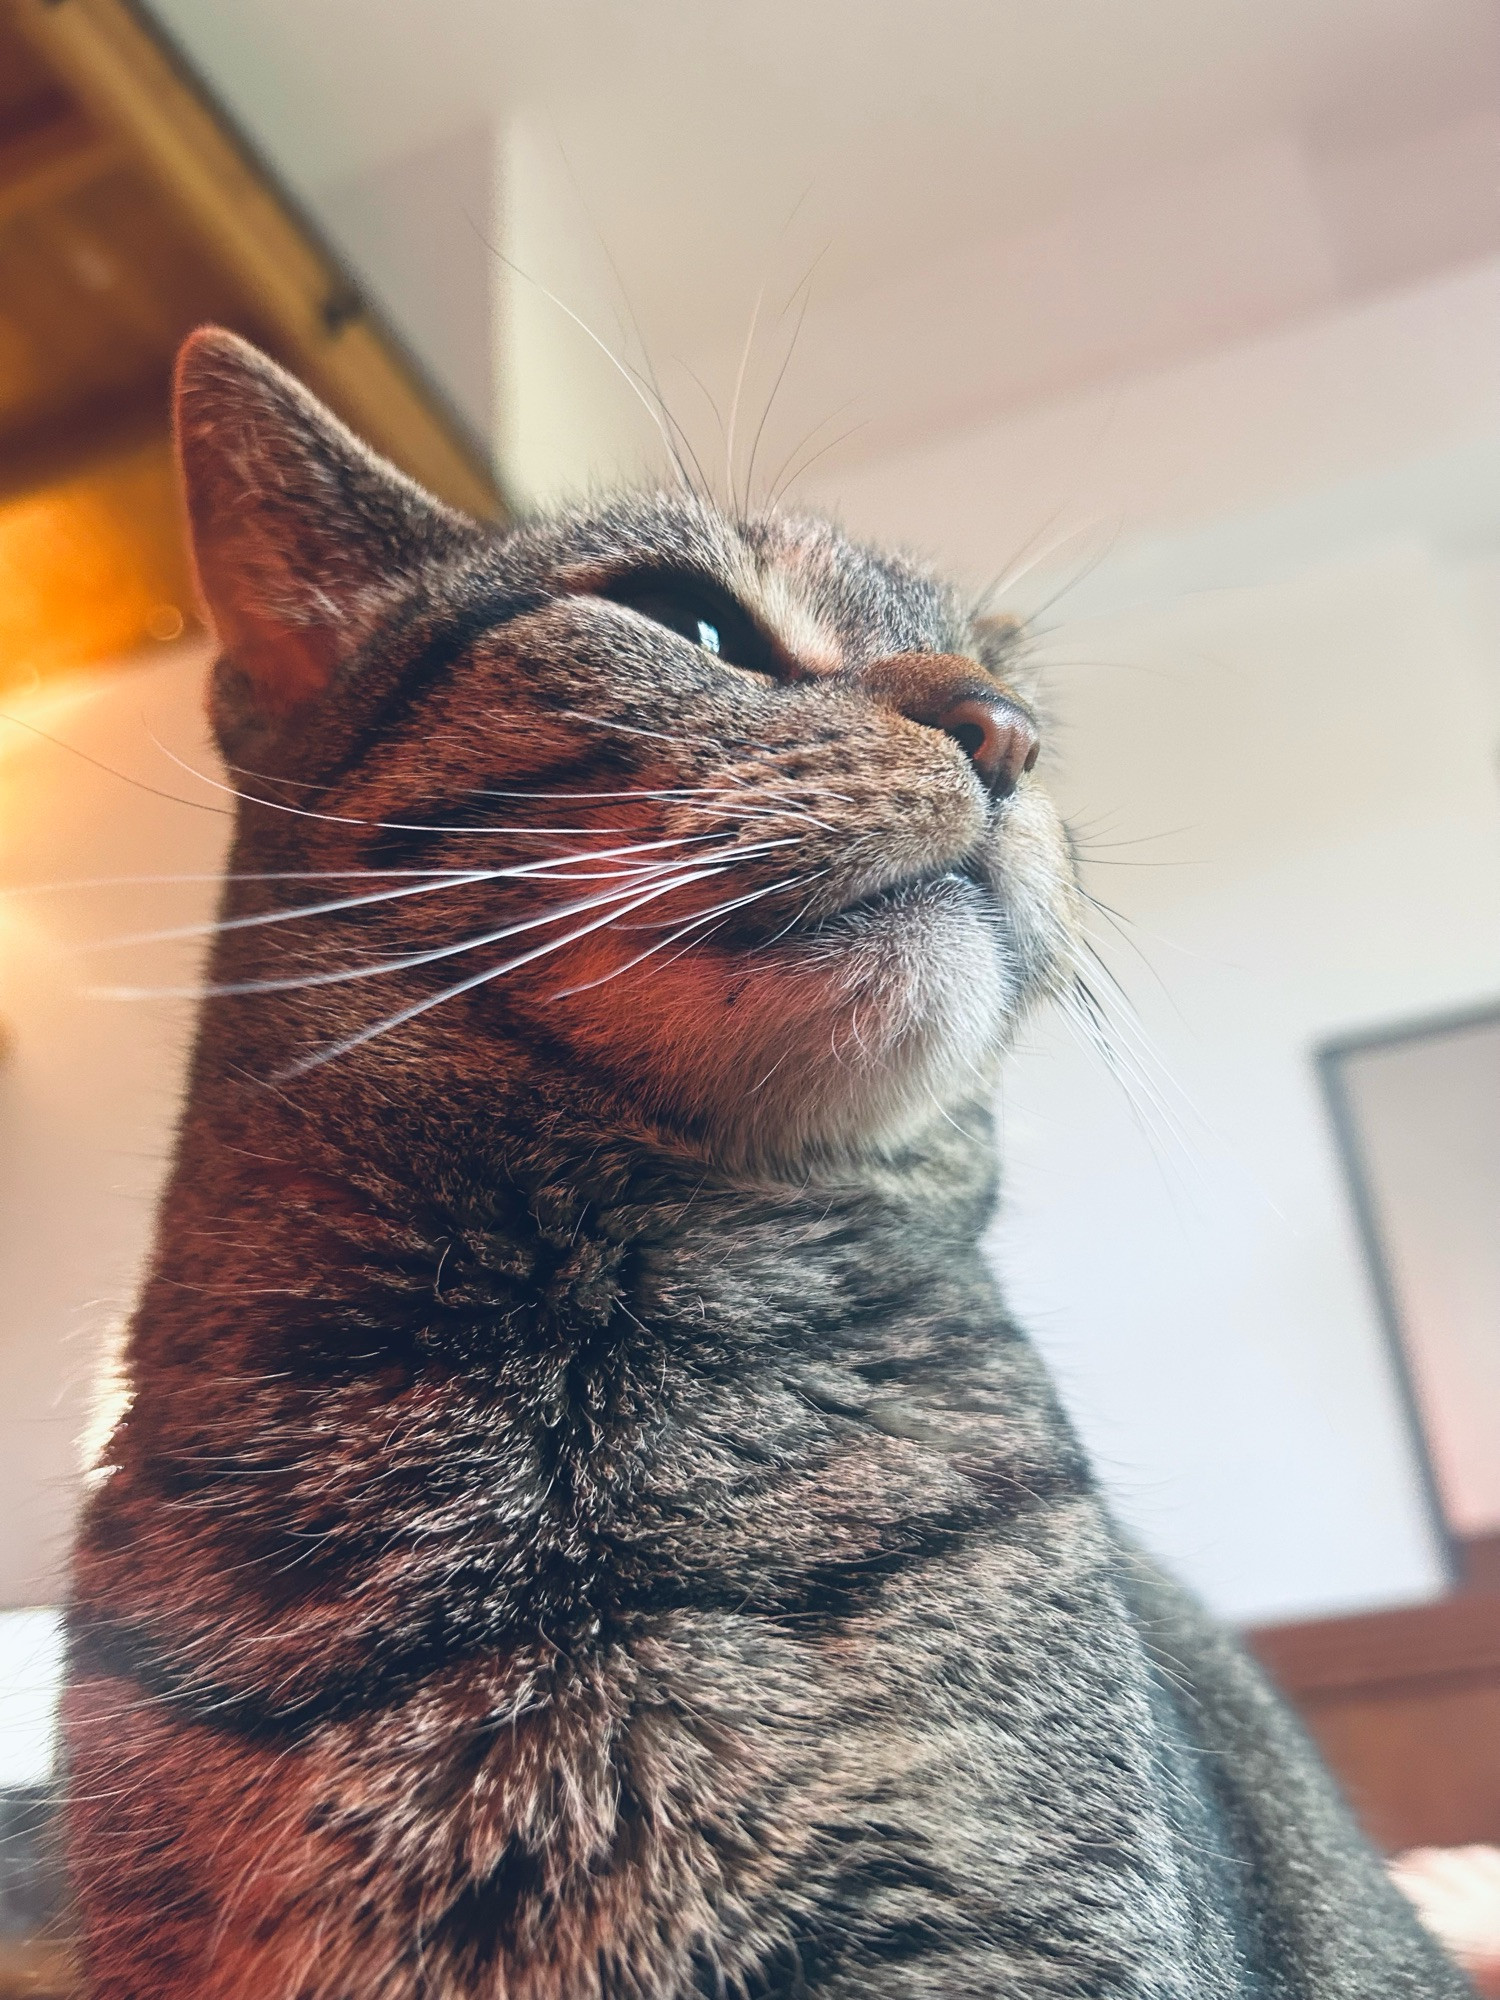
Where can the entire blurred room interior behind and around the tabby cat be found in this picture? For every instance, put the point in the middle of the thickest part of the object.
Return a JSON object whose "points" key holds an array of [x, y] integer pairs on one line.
{"points": [[1173, 323]]}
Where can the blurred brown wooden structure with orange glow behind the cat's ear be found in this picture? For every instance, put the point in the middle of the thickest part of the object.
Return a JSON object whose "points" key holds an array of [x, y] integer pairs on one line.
{"points": [[131, 211]]}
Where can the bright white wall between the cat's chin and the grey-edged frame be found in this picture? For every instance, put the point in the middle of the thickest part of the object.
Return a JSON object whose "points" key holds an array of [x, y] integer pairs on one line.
{"points": [[1289, 795]]}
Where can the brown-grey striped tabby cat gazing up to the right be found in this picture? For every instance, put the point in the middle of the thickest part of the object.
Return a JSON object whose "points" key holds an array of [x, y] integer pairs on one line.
{"points": [[587, 1527]]}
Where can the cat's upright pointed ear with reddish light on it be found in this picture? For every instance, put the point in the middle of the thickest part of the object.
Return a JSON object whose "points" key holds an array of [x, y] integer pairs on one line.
{"points": [[303, 539]]}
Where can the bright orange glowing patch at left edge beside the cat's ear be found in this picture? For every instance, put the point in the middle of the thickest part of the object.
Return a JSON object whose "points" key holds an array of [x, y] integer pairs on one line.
{"points": [[93, 569]]}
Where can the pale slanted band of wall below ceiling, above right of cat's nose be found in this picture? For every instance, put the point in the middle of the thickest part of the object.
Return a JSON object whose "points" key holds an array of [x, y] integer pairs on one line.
{"points": [[1335, 421]]}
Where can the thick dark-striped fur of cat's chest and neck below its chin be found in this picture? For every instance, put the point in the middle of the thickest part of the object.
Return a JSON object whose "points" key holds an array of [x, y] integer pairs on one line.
{"points": [[619, 1613]]}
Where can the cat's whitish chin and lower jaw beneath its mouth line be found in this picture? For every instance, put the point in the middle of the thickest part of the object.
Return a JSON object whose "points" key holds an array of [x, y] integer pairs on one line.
{"points": [[857, 1031]]}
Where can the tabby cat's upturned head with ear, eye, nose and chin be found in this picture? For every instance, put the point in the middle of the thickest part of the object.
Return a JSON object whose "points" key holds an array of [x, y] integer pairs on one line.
{"points": [[729, 821]]}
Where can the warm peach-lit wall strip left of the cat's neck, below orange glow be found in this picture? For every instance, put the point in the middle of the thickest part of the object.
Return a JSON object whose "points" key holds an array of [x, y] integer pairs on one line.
{"points": [[89, 1085]]}
